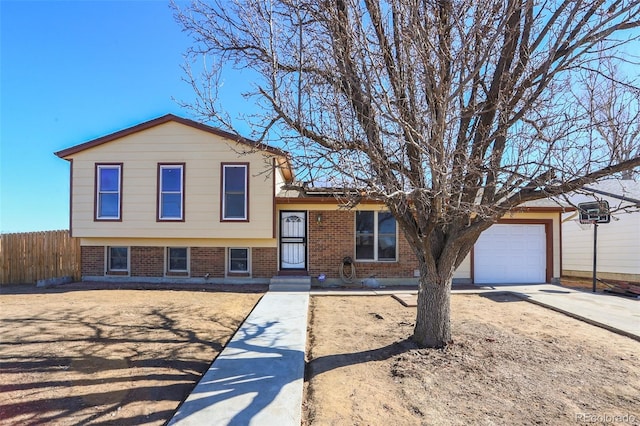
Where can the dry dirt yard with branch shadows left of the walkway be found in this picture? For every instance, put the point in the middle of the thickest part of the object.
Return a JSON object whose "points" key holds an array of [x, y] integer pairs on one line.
{"points": [[125, 357]]}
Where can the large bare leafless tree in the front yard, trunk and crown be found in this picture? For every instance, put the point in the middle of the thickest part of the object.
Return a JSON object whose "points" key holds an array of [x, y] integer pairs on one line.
{"points": [[450, 112]]}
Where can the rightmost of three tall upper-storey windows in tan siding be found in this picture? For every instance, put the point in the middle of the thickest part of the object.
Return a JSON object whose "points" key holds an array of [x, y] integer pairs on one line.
{"points": [[235, 192]]}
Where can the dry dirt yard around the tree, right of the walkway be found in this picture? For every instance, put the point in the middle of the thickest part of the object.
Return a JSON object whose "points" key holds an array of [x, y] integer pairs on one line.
{"points": [[512, 362]]}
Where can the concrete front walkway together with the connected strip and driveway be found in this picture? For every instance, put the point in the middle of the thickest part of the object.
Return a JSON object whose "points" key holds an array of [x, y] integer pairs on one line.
{"points": [[258, 378]]}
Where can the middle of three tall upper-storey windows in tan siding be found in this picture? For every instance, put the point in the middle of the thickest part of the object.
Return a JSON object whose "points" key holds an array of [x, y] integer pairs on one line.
{"points": [[171, 192]]}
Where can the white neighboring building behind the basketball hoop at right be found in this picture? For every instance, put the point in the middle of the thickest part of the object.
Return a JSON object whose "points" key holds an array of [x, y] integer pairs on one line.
{"points": [[618, 256]]}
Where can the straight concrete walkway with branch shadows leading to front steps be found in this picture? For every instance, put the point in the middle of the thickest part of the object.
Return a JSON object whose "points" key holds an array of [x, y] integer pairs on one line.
{"points": [[258, 378]]}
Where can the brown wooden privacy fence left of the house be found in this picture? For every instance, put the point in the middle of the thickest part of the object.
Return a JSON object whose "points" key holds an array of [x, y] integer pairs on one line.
{"points": [[32, 256]]}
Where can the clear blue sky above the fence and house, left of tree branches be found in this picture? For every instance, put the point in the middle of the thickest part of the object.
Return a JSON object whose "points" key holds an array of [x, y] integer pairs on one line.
{"points": [[72, 71]]}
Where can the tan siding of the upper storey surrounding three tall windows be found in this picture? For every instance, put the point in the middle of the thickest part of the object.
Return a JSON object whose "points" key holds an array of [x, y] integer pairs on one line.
{"points": [[171, 142]]}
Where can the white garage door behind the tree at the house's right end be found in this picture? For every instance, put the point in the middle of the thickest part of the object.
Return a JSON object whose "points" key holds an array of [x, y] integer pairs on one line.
{"points": [[510, 254]]}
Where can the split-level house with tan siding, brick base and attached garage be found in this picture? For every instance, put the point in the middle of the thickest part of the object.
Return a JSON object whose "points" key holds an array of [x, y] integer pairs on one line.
{"points": [[173, 200]]}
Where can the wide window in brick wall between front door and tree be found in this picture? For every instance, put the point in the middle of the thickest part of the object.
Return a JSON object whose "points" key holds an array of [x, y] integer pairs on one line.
{"points": [[376, 236]]}
